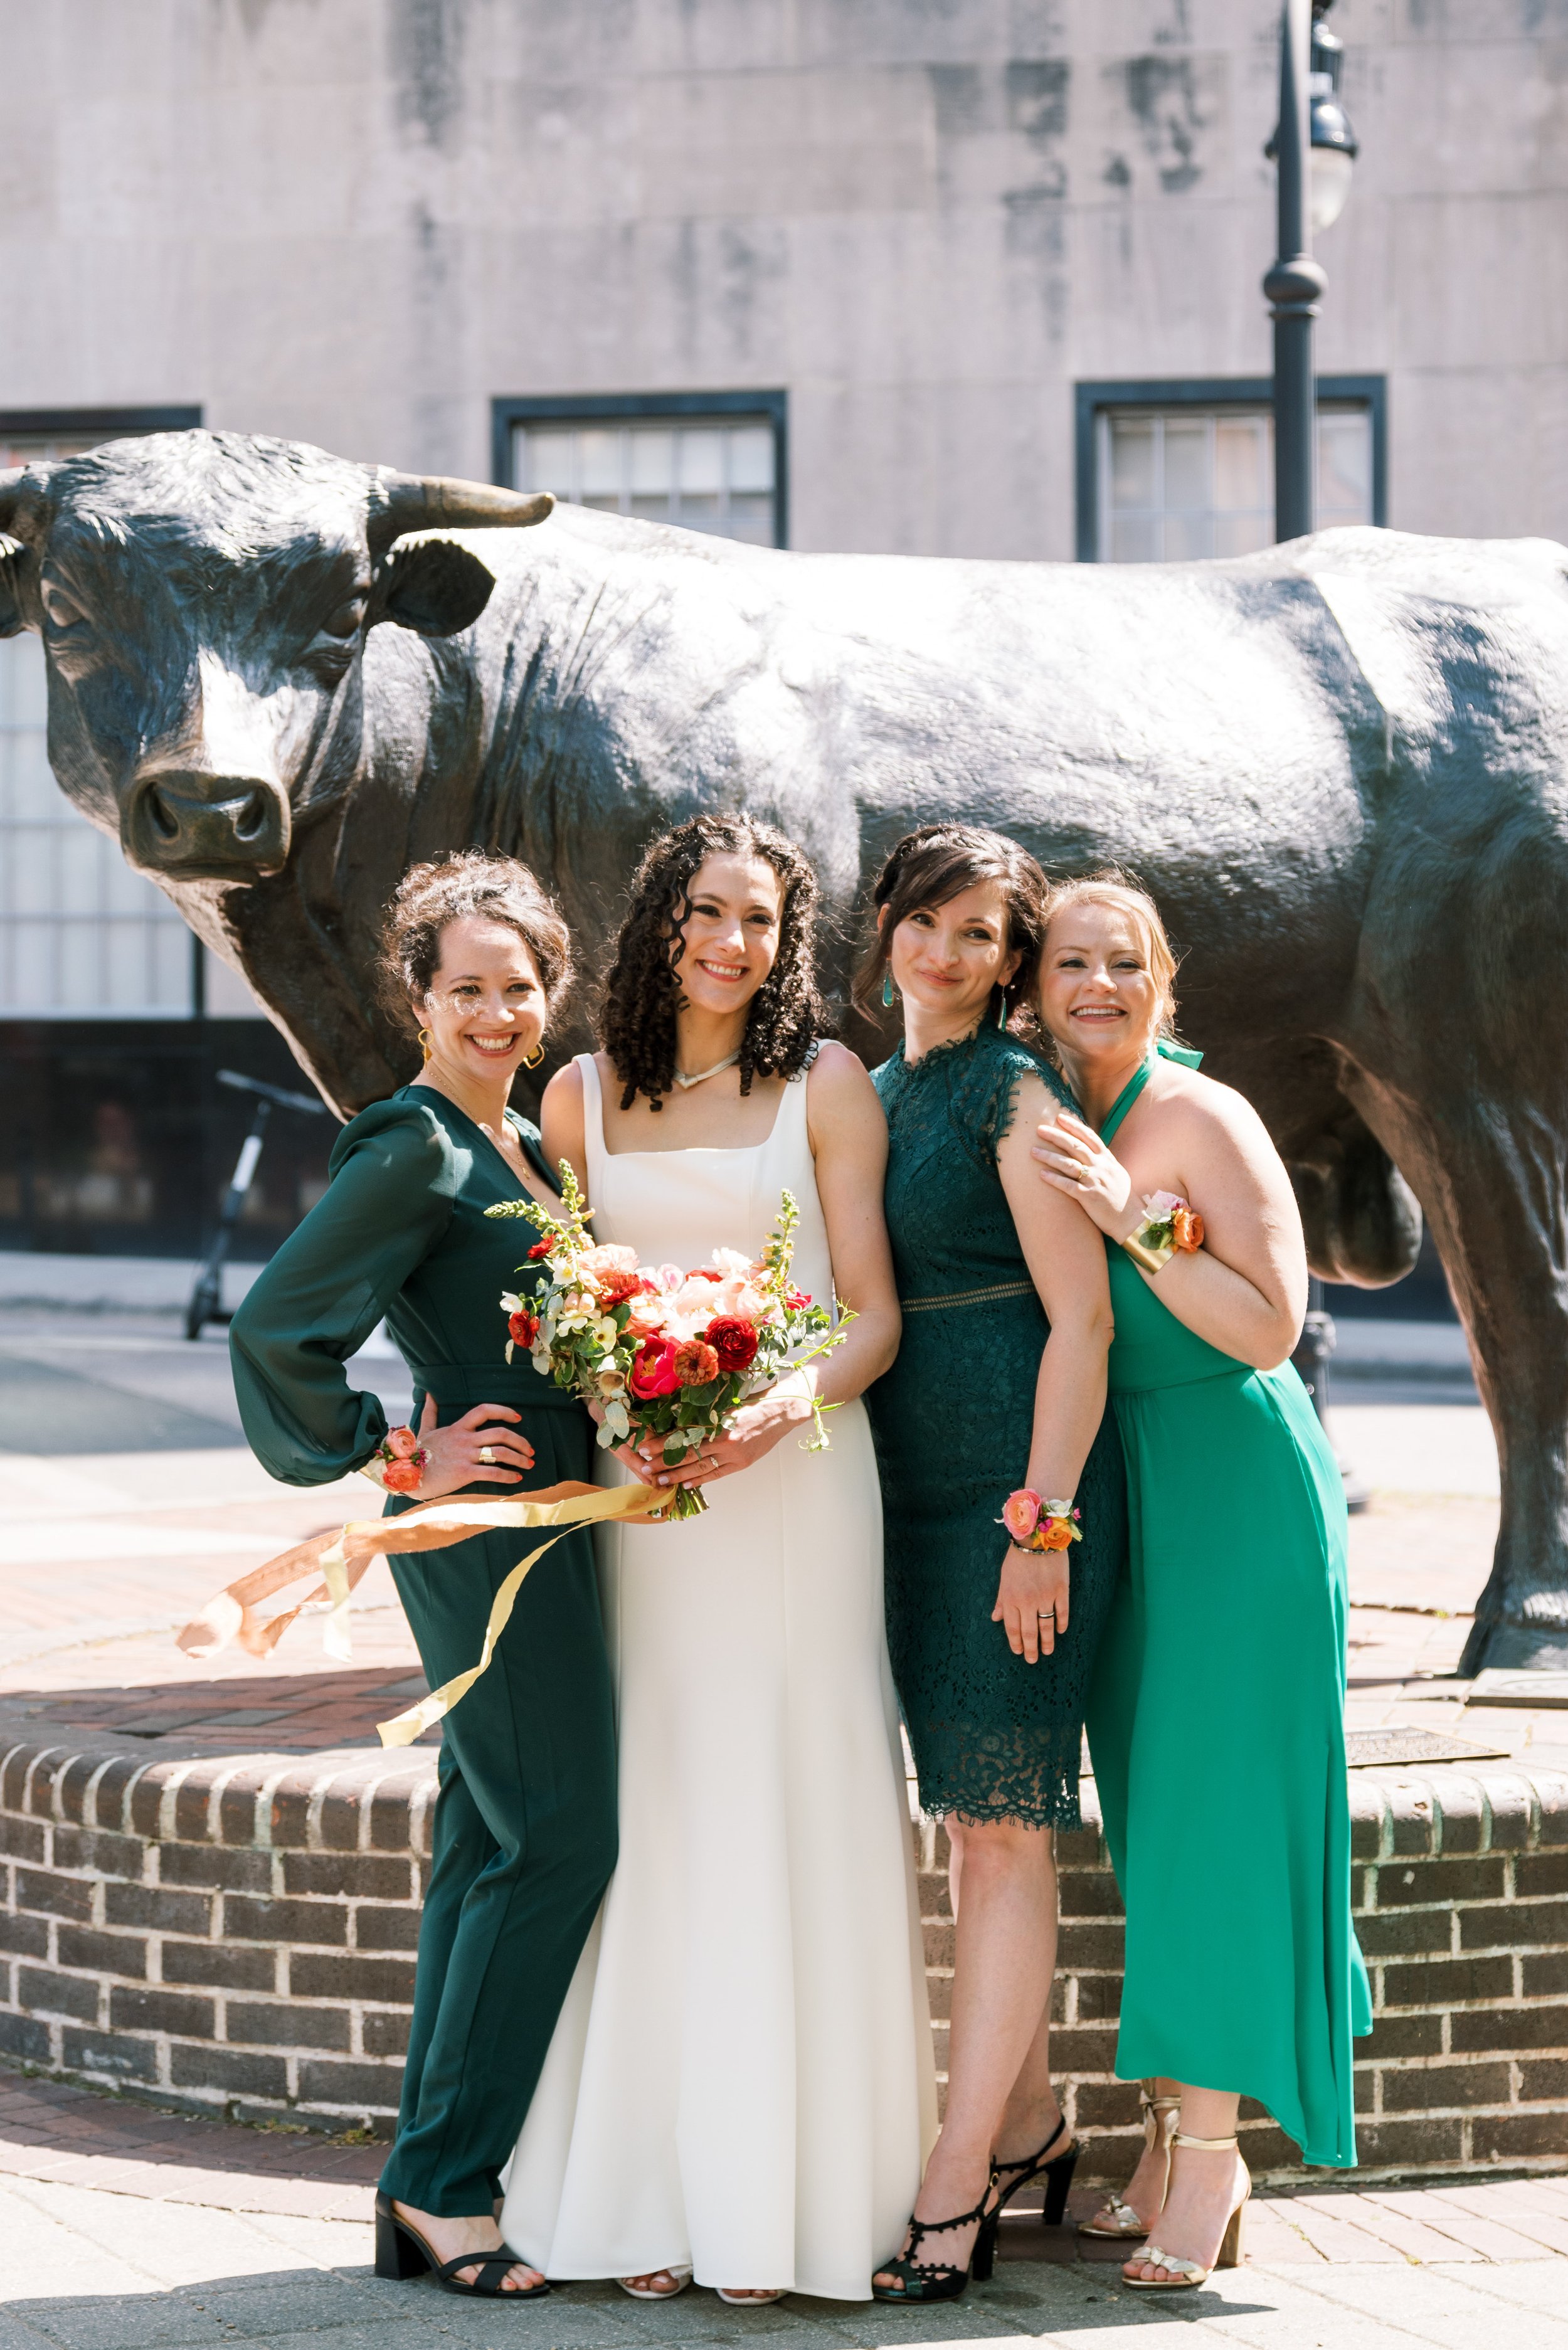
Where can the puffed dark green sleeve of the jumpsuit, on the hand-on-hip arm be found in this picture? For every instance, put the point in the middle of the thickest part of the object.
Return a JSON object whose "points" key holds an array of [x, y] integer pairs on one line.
{"points": [[319, 1301]]}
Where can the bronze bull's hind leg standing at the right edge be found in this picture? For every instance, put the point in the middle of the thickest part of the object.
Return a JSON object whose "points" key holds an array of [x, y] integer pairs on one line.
{"points": [[1492, 1179]]}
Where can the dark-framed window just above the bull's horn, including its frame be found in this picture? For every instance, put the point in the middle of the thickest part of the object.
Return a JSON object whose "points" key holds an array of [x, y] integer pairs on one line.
{"points": [[702, 462]]}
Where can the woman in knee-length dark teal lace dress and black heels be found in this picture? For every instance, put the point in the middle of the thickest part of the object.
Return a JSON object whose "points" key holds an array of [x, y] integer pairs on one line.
{"points": [[1000, 1385]]}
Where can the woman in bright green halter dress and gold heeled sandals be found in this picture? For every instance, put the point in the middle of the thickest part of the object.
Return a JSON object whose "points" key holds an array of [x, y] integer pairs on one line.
{"points": [[1217, 1717]]}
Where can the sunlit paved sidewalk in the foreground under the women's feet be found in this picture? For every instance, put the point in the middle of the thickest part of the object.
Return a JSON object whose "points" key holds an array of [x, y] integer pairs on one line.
{"points": [[126, 2229]]}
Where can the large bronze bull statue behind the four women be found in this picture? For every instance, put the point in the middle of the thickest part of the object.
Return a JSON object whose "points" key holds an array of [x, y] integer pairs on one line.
{"points": [[1343, 767]]}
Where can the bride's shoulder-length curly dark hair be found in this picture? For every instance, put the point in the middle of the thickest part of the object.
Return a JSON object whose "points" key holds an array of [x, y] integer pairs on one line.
{"points": [[643, 986]]}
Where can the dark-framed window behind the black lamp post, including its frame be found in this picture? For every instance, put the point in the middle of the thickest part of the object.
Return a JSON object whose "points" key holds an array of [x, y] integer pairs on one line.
{"points": [[1186, 471]]}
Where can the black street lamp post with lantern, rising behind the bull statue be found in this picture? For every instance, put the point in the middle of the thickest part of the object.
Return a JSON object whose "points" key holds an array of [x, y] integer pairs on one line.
{"points": [[1315, 152]]}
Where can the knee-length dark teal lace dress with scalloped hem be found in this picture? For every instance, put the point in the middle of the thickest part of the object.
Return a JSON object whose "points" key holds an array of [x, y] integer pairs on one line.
{"points": [[993, 1738]]}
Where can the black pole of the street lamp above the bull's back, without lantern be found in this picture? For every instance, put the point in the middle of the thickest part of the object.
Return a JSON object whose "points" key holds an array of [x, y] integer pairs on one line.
{"points": [[1294, 286]]}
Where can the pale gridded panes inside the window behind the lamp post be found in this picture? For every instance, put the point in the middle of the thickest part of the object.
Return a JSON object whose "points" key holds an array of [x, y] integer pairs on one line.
{"points": [[1181, 485]]}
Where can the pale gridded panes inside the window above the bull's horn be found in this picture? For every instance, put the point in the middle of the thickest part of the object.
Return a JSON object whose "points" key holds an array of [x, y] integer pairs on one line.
{"points": [[699, 474]]}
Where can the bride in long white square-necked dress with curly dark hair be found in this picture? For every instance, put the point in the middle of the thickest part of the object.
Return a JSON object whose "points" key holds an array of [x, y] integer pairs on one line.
{"points": [[742, 2083]]}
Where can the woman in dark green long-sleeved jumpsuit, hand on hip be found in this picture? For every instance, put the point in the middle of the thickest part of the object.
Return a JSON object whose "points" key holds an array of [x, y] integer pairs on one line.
{"points": [[525, 1825]]}
